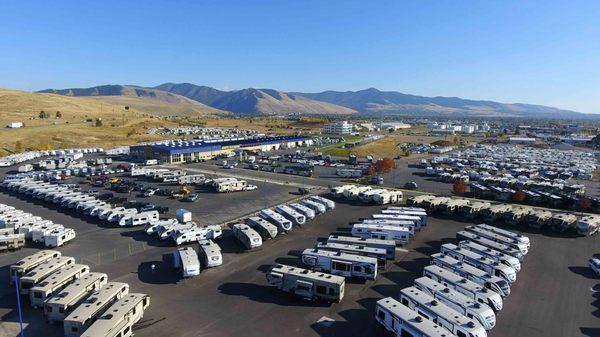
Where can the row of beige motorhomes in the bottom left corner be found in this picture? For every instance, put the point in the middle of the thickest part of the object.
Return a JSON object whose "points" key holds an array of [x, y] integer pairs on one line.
{"points": [[85, 302]]}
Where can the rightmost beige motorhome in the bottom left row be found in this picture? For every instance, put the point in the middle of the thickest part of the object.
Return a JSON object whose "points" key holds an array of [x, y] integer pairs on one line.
{"points": [[120, 317]]}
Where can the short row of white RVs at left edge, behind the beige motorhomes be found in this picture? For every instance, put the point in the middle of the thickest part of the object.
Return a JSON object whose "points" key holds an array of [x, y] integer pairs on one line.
{"points": [[17, 226]]}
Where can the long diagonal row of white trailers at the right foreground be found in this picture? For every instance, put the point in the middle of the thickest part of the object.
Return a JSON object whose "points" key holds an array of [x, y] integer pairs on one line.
{"points": [[461, 291]]}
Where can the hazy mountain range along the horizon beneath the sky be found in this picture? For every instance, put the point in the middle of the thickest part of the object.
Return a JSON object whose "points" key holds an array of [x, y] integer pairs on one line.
{"points": [[273, 102]]}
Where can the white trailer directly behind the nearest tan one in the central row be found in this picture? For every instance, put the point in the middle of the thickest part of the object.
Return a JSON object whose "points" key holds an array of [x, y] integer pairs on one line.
{"points": [[342, 264]]}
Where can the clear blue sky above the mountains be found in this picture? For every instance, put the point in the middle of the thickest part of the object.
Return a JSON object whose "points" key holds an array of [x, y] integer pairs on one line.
{"points": [[544, 52]]}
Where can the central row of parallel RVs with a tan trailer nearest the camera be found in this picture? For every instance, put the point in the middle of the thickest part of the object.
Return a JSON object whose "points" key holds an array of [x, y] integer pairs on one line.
{"points": [[325, 267]]}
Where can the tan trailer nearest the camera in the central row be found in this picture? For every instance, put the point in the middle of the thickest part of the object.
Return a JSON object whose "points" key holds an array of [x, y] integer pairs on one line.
{"points": [[305, 283]]}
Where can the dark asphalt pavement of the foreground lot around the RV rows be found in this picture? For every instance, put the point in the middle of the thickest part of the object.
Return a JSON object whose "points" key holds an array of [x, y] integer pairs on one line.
{"points": [[235, 299]]}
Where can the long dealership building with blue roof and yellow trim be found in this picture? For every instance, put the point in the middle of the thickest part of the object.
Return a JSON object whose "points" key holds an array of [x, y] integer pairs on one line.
{"points": [[172, 152]]}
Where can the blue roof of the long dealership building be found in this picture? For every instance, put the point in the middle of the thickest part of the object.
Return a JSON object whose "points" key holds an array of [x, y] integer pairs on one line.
{"points": [[207, 146]]}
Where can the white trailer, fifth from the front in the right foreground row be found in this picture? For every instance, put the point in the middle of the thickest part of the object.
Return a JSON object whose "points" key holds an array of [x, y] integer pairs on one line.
{"points": [[474, 274]]}
